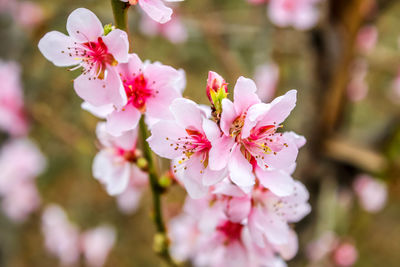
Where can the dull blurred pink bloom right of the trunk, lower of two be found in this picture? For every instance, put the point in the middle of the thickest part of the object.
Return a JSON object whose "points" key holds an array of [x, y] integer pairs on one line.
{"points": [[357, 89]]}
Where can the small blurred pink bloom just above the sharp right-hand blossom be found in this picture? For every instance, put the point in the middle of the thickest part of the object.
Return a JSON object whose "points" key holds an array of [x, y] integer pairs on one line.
{"points": [[266, 78]]}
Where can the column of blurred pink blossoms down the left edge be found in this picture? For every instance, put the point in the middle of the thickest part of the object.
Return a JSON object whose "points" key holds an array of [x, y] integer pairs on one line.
{"points": [[20, 159]]}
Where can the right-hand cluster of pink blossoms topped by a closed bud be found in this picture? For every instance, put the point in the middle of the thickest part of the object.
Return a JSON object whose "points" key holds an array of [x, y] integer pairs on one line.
{"points": [[237, 168]]}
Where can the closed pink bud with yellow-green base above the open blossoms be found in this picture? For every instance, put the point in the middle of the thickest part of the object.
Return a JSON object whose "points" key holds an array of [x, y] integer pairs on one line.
{"points": [[216, 90]]}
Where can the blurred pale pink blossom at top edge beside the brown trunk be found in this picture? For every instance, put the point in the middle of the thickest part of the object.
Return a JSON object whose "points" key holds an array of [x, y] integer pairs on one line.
{"points": [[301, 14]]}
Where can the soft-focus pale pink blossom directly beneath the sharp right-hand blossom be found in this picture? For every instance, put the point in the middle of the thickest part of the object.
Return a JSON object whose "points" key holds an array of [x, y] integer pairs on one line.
{"points": [[267, 214]]}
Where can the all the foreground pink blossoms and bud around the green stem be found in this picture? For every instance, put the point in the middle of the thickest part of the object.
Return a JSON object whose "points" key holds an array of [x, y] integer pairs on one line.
{"points": [[233, 159]]}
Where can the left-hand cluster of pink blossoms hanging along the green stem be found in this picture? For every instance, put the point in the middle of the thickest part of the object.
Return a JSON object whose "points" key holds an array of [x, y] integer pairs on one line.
{"points": [[118, 87]]}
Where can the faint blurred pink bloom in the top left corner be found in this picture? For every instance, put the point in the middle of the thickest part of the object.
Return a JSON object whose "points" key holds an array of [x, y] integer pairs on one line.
{"points": [[29, 14]]}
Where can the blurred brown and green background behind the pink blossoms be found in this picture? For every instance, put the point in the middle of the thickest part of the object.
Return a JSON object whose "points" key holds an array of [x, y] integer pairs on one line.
{"points": [[346, 69]]}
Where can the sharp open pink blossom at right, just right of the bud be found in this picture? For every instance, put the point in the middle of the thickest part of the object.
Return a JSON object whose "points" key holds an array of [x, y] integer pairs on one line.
{"points": [[250, 140]]}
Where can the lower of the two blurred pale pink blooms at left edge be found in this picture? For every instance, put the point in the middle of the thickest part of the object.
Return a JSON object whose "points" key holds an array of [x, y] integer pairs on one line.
{"points": [[20, 162]]}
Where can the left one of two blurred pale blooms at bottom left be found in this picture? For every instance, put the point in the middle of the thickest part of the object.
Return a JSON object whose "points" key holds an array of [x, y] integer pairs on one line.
{"points": [[60, 235]]}
